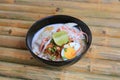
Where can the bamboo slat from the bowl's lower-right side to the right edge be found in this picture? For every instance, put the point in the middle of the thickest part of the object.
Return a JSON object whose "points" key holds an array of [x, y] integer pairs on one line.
{"points": [[102, 52]]}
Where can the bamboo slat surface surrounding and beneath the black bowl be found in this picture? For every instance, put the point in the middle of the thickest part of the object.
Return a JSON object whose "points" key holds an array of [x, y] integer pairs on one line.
{"points": [[102, 61]]}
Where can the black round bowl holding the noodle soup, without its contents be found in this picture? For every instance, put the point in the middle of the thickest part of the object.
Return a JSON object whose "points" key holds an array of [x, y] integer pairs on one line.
{"points": [[53, 20]]}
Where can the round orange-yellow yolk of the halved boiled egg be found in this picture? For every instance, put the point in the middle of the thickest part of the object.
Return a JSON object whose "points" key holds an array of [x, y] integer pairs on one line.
{"points": [[69, 53]]}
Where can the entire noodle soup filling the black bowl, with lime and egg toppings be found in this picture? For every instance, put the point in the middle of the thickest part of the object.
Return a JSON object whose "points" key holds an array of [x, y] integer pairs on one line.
{"points": [[59, 42]]}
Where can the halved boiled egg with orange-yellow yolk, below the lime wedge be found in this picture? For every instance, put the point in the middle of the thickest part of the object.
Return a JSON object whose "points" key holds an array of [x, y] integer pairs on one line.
{"points": [[70, 50]]}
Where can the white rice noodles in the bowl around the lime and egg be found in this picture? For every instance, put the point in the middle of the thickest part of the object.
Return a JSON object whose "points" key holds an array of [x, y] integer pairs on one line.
{"points": [[74, 33]]}
